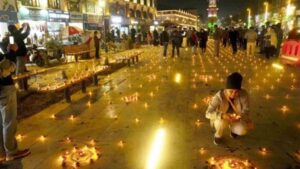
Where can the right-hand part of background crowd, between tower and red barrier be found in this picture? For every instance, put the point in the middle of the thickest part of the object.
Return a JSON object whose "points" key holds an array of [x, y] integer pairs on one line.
{"points": [[267, 39]]}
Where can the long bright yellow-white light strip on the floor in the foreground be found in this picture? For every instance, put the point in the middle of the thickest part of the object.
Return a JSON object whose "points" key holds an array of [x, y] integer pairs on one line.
{"points": [[156, 149]]}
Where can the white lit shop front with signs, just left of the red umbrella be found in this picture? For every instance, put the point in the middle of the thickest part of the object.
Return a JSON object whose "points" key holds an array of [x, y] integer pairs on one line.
{"points": [[57, 21]]}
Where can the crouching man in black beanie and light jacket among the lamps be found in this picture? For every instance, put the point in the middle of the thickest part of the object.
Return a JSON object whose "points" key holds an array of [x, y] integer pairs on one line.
{"points": [[230, 108]]}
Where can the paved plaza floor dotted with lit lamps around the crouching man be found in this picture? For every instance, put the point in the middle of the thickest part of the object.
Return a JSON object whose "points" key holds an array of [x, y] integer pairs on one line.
{"points": [[152, 116]]}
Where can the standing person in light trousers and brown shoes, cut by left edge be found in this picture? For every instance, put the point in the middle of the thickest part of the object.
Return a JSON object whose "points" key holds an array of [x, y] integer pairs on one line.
{"points": [[8, 107]]}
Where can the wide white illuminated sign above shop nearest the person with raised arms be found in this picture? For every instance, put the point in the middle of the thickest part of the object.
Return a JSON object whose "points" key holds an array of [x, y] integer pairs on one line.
{"points": [[33, 14]]}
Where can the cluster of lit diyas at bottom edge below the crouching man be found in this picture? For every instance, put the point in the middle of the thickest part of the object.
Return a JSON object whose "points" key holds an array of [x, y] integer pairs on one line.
{"points": [[224, 162]]}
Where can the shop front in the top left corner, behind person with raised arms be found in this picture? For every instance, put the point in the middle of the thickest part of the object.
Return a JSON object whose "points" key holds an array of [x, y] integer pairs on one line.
{"points": [[8, 15]]}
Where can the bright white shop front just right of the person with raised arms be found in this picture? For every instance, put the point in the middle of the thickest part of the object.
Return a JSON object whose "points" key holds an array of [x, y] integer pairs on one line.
{"points": [[37, 19]]}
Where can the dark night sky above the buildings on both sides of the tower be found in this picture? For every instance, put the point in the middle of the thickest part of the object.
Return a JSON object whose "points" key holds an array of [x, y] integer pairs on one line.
{"points": [[226, 7]]}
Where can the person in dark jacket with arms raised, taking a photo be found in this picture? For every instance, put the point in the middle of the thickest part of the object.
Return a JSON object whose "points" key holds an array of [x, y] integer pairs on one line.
{"points": [[19, 38]]}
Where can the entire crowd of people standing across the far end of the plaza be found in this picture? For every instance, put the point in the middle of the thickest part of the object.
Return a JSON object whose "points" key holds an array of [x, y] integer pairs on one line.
{"points": [[265, 40]]}
